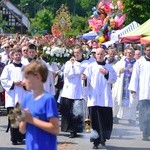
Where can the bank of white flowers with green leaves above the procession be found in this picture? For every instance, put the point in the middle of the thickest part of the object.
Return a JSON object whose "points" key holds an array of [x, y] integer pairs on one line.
{"points": [[57, 54]]}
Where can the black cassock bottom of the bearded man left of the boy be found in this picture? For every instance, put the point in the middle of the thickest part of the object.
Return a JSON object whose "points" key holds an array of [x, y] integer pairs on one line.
{"points": [[14, 132]]}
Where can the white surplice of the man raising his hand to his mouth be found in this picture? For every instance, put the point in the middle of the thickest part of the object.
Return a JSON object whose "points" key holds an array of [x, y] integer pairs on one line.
{"points": [[73, 86]]}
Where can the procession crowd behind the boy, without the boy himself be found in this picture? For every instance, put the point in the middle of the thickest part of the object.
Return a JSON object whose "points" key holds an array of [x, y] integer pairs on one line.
{"points": [[102, 79]]}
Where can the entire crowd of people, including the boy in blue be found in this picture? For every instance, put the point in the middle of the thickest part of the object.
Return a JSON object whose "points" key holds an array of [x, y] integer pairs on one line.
{"points": [[109, 85]]}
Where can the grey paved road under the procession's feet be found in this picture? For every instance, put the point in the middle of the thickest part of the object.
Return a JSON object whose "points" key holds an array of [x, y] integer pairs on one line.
{"points": [[124, 137]]}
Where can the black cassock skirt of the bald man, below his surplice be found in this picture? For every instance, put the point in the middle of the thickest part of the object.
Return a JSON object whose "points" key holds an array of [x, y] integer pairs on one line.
{"points": [[102, 122]]}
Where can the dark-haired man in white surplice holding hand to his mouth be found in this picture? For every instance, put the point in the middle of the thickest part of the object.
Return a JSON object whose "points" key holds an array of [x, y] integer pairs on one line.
{"points": [[72, 94]]}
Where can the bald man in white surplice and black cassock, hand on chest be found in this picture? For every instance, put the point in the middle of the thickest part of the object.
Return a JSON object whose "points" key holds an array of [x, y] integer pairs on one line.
{"points": [[100, 76]]}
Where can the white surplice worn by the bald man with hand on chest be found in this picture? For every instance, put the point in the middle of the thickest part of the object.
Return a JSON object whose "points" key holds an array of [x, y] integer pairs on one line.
{"points": [[98, 87]]}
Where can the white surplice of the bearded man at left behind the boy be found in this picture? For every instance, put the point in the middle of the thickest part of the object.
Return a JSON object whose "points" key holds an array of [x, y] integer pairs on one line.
{"points": [[8, 76]]}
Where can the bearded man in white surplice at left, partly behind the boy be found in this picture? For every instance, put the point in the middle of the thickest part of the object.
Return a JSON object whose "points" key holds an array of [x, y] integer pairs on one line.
{"points": [[11, 80]]}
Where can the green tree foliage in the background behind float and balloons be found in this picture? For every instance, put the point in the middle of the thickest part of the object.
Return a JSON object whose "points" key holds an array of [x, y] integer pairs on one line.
{"points": [[135, 10]]}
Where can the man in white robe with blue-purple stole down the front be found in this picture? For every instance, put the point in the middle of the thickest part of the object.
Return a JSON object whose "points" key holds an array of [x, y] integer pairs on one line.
{"points": [[124, 108]]}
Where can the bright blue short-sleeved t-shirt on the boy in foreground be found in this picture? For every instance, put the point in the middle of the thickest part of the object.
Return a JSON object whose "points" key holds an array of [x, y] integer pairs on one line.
{"points": [[44, 108]]}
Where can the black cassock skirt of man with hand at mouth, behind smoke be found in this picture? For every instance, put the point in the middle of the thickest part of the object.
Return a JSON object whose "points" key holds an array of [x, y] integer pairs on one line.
{"points": [[69, 121]]}
